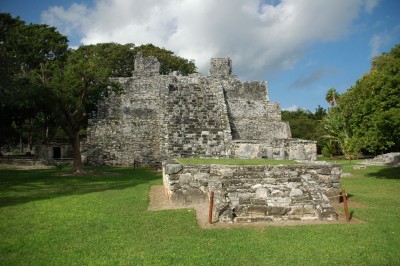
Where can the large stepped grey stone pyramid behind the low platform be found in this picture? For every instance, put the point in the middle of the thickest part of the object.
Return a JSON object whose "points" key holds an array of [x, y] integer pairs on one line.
{"points": [[158, 117]]}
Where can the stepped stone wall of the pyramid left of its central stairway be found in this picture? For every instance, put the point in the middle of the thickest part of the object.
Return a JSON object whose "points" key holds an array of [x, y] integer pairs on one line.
{"points": [[128, 125]]}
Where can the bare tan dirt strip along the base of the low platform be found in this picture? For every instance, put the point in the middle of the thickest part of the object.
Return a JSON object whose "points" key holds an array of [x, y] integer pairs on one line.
{"points": [[159, 201]]}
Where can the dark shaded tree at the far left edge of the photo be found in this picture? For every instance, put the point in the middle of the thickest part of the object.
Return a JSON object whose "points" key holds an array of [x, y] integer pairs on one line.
{"points": [[24, 51]]}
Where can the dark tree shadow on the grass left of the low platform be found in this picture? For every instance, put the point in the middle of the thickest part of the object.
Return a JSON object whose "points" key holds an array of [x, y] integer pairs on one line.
{"points": [[21, 186]]}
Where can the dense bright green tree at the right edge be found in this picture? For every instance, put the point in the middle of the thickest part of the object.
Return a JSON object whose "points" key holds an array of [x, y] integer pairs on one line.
{"points": [[370, 110]]}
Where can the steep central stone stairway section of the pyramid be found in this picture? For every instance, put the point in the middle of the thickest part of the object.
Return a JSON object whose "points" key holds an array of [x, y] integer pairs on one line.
{"points": [[195, 119]]}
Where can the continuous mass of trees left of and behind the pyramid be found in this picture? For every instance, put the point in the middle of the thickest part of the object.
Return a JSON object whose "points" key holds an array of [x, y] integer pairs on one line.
{"points": [[41, 76]]}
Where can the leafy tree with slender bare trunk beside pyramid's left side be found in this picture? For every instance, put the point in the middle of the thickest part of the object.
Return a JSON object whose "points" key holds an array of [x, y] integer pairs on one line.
{"points": [[77, 84]]}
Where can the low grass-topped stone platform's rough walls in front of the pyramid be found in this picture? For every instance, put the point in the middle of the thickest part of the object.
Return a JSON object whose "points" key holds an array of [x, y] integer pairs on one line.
{"points": [[256, 193]]}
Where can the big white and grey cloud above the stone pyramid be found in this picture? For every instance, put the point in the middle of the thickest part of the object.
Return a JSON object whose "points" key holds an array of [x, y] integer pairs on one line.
{"points": [[259, 36]]}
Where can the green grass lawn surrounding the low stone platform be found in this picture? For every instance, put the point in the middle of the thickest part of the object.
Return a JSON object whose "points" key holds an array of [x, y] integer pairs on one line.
{"points": [[50, 218]]}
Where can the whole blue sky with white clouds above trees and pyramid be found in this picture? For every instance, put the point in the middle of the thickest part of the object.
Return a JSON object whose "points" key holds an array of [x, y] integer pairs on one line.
{"points": [[301, 47]]}
